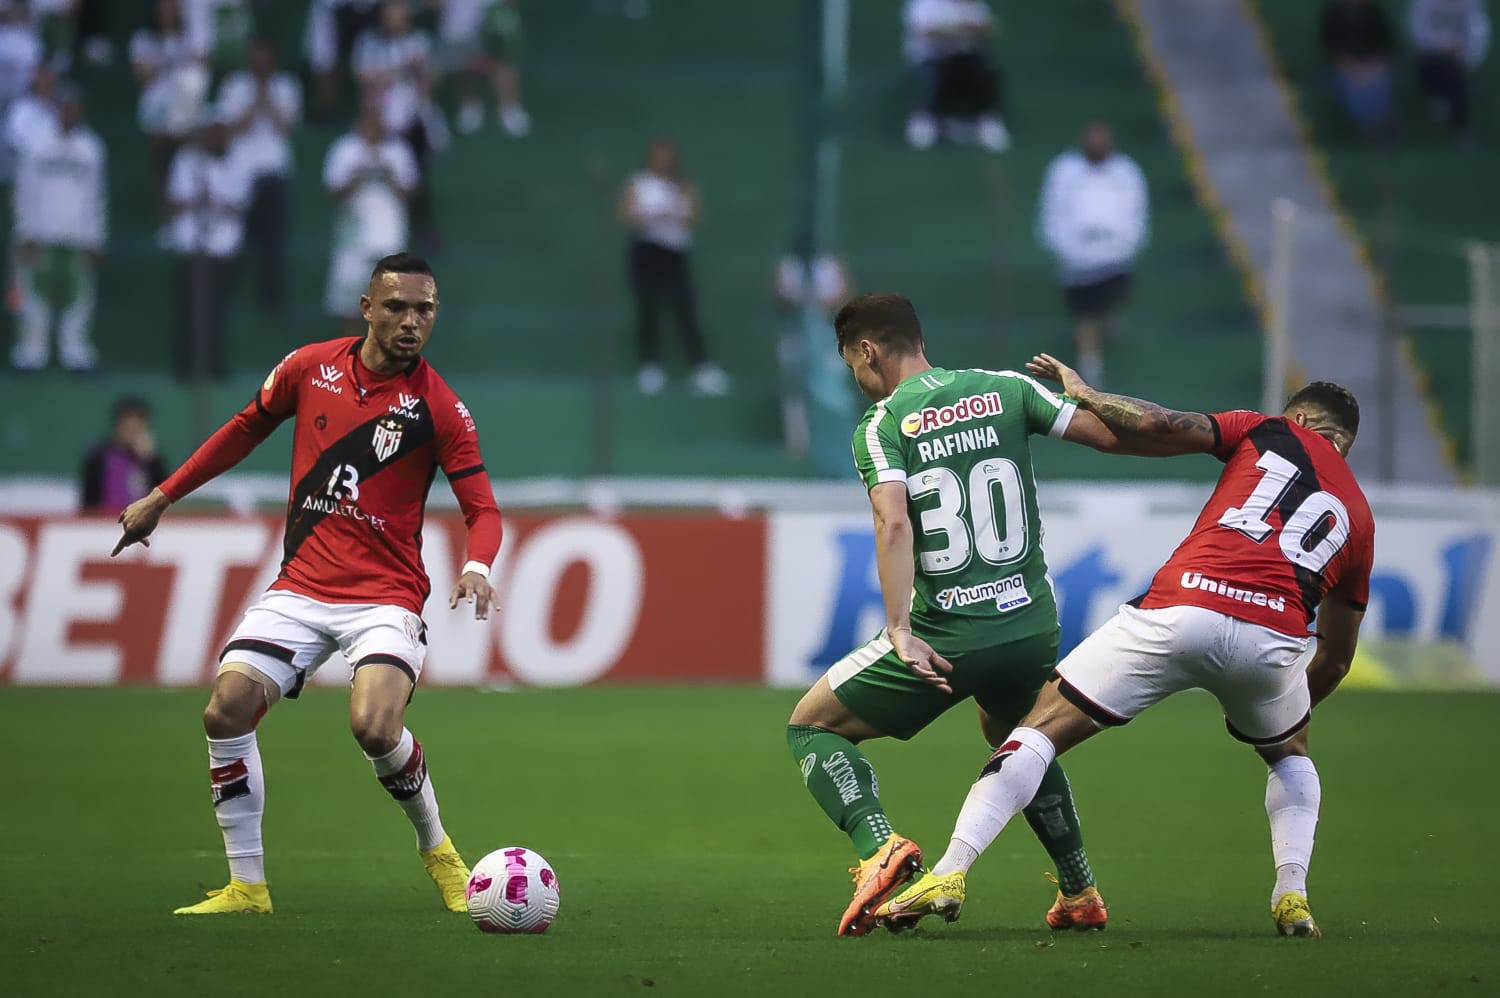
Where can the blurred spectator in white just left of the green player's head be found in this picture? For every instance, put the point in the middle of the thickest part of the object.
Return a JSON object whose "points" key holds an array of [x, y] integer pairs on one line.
{"points": [[803, 292]]}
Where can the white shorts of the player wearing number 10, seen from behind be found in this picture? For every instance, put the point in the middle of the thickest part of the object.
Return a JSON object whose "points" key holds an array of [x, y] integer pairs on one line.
{"points": [[1144, 657]]}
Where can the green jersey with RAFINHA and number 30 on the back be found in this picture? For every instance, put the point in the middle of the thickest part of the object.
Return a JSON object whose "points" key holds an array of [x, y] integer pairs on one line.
{"points": [[959, 440]]}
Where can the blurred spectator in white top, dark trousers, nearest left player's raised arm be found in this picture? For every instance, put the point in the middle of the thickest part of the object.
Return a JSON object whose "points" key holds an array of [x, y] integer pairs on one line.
{"points": [[209, 191]]}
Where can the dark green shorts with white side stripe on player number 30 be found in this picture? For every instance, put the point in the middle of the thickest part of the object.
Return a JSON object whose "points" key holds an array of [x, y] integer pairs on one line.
{"points": [[881, 690]]}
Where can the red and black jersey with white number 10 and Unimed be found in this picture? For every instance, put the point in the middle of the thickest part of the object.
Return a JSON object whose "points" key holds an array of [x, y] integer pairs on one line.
{"points": [[1286, 526]]}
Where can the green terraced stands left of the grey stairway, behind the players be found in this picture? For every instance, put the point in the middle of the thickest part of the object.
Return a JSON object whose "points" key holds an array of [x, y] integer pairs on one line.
{"points": [[532, 269]]}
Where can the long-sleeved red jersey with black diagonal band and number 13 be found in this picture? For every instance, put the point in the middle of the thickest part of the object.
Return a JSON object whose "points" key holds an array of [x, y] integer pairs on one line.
{"points": [[365, 452]]}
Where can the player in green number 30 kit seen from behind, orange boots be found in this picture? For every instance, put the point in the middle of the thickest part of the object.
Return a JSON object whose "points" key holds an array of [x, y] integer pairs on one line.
{"points": [[968, 606]]}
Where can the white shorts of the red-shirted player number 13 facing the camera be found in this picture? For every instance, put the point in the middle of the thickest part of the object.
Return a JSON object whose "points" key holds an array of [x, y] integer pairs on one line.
{"points": [[289, 636]]}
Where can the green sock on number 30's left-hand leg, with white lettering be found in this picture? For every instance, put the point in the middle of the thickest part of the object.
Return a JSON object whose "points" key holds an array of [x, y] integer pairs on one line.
{"points": [[844, 784]]}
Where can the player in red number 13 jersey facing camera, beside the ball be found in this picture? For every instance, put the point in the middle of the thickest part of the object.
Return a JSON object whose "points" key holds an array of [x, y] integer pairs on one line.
{"points": [[374, 422]]}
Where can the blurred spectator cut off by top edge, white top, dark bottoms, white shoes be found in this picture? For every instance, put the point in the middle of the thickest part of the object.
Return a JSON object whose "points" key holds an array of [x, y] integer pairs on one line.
{"points": [[958, 89]]}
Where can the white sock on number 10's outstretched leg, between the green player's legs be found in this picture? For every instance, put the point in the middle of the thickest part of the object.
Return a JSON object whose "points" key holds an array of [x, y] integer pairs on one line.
{"points": [[1007, 784]]}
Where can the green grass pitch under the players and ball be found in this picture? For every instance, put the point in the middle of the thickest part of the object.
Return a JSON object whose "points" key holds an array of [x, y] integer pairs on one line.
{"points": [[694, 864]]}
